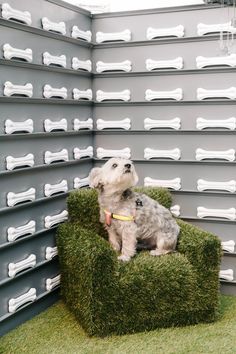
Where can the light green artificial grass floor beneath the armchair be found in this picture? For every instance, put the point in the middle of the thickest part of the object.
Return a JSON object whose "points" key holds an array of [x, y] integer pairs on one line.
{"points": [[55, 331]]}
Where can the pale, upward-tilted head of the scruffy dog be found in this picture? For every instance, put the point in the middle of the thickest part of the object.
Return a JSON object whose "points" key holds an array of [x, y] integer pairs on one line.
{"points": [[116, 175]]}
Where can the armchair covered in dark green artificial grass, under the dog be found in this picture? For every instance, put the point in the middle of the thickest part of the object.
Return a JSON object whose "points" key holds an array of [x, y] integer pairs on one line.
{"points": [[108, 296]]}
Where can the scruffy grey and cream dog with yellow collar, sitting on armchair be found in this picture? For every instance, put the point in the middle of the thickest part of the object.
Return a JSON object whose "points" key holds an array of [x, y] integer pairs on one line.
{"points": [[131, 217]]}
